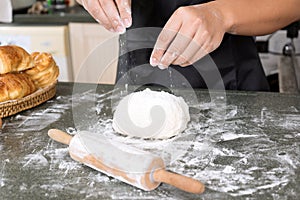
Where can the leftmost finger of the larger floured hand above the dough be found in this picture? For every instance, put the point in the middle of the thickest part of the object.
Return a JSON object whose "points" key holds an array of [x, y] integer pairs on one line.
{"points": [[164, 39]]}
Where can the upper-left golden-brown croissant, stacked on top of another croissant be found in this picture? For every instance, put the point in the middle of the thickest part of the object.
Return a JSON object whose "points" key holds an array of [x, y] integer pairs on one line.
{"points": [[14, 59]]}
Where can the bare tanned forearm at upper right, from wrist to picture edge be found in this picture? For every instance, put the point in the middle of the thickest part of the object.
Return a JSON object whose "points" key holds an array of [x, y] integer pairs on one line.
{"points": [[256, 17]]}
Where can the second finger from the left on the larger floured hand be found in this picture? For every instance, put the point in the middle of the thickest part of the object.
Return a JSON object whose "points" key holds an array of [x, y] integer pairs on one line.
{"points": [[178, 45]]}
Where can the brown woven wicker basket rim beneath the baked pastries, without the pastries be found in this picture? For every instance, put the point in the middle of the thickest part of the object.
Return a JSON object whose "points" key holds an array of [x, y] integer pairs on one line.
{"points": [[12, 107]]}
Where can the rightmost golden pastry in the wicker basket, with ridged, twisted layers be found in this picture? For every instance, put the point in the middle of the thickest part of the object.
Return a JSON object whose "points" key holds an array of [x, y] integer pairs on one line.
{"points": [[45, 70]]}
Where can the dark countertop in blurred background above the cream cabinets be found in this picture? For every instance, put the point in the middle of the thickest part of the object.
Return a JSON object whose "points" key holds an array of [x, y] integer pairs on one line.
{"points": [[56, 17]]}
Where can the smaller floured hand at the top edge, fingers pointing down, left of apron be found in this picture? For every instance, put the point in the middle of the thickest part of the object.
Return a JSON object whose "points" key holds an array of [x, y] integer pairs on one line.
{"points": [[113, 15]]}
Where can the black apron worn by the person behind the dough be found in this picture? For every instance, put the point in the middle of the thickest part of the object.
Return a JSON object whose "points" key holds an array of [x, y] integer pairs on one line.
{"points": [[235, 64]]}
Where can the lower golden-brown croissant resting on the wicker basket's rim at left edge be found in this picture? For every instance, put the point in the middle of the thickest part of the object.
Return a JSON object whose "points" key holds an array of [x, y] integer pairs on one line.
{"points": [[15, 86]]}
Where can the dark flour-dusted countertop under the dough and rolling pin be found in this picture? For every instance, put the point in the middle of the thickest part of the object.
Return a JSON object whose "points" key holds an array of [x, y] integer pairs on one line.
{"points": [[244, 145]]}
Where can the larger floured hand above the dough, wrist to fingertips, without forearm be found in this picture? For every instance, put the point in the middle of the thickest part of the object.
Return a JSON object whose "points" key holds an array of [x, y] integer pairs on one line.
{"points": [[190, 33]]}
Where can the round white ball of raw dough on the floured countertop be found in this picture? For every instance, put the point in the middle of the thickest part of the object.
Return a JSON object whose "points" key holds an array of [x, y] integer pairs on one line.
{"points": [[151, 114]]}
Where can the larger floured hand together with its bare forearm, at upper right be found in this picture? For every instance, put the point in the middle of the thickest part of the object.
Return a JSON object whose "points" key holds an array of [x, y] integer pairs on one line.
{"points": [[195, 31]]}
